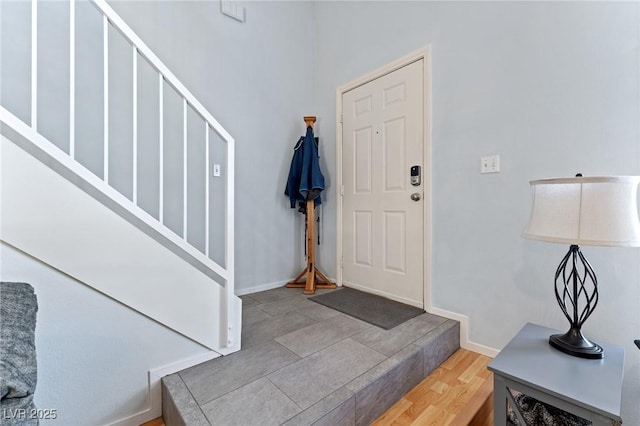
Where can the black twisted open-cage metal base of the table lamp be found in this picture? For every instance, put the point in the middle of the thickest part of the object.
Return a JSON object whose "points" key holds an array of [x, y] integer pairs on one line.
{"points": [[576, 289]]}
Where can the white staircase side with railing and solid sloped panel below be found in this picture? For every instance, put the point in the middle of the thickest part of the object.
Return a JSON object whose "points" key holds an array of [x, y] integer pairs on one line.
{"points": [[113, 172]]}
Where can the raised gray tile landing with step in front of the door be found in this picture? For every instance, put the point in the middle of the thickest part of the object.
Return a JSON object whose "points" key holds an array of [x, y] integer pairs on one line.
{"points": [[302, 363]]}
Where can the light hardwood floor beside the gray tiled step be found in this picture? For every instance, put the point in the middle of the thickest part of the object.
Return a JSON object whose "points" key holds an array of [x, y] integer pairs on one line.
{"points": [[457, 393]]}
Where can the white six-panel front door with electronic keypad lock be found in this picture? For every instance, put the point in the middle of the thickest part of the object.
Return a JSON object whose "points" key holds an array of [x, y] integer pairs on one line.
{"points": [[382, 212]]}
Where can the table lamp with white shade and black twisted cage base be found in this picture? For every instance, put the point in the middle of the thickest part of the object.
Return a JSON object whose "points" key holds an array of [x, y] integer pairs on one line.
{"points": [[592, 211]]}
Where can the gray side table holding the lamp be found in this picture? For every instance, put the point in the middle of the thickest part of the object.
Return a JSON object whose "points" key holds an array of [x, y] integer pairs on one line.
{"points": [[588, 388]]}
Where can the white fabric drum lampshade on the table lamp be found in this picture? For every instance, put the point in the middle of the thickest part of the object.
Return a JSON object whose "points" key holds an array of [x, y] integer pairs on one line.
{"points": [[597, 211]]}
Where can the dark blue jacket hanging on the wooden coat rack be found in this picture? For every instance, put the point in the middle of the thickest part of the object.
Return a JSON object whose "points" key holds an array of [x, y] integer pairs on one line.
{"points": [[305, 180]]}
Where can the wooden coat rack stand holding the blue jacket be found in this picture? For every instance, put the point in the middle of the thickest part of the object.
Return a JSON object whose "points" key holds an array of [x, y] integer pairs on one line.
{"points": [[310, 278]]}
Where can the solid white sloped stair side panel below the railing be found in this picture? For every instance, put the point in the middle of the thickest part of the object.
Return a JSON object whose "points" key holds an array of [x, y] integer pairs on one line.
{"points": [[55, 221]]}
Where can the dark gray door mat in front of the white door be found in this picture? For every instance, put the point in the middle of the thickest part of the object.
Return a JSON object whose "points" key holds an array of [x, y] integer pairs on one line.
{"points": [[376, 310]]}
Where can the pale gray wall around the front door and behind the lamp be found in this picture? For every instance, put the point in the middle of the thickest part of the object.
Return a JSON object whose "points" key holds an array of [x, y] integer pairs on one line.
{"points": [[553, 88]]}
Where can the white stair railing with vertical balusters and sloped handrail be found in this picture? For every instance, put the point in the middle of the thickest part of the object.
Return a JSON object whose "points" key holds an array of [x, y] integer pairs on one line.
{"points": [[141, 52]]}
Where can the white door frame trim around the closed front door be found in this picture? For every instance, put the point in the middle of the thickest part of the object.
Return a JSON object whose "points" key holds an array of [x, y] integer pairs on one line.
{"points": [[421, 54]]}
